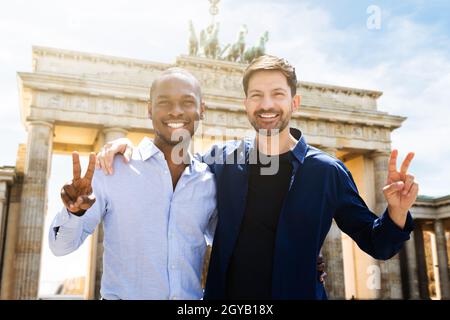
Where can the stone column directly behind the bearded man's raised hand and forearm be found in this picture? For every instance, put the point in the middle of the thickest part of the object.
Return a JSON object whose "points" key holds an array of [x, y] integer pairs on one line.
{"points": [[391, 284]]}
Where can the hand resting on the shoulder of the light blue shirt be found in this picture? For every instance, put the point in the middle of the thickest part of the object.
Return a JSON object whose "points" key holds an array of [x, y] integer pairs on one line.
{"points": [[105, 157]]}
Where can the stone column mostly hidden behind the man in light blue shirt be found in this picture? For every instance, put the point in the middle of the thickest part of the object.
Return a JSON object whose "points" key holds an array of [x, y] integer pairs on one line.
{"points": [[109, 134]]}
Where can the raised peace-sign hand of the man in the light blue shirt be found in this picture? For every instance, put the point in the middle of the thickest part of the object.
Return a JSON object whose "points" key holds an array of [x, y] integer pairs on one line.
{"points": [[77, 194]]}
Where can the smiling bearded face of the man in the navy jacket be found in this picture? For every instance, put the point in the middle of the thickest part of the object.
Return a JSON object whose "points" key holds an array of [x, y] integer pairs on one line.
{"points": [[269, 102]]}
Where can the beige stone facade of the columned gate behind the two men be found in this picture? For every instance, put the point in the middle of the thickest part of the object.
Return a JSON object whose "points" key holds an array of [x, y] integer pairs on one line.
{"points": [[77, 101]]}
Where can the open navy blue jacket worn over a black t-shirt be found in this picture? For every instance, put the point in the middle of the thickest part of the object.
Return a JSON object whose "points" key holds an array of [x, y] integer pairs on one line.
{"points": [[321, 189]]}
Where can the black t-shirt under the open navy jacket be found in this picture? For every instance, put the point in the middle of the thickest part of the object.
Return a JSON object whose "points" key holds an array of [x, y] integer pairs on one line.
{"points": [[250, 270]]}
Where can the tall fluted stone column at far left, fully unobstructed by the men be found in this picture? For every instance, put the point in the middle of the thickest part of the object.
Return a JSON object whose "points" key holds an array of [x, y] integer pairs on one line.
{"points": [[33, 209]]}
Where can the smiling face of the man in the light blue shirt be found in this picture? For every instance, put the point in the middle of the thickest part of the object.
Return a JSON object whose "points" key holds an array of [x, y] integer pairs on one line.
{"points": [[175, 107]]}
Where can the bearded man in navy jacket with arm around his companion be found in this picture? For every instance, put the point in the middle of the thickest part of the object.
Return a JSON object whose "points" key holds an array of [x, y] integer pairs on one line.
{"points": [[272, 226]]}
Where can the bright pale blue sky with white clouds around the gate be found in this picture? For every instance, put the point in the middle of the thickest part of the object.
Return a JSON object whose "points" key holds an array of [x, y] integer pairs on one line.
{"points": [[406, 55]]}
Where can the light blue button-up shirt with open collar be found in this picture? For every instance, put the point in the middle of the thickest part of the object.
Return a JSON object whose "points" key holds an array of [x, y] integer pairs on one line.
{"points": [[154, 237]]}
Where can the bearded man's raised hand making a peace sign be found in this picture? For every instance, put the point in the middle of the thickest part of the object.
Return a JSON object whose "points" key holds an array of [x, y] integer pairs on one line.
{"points": [[401, 190]]}
